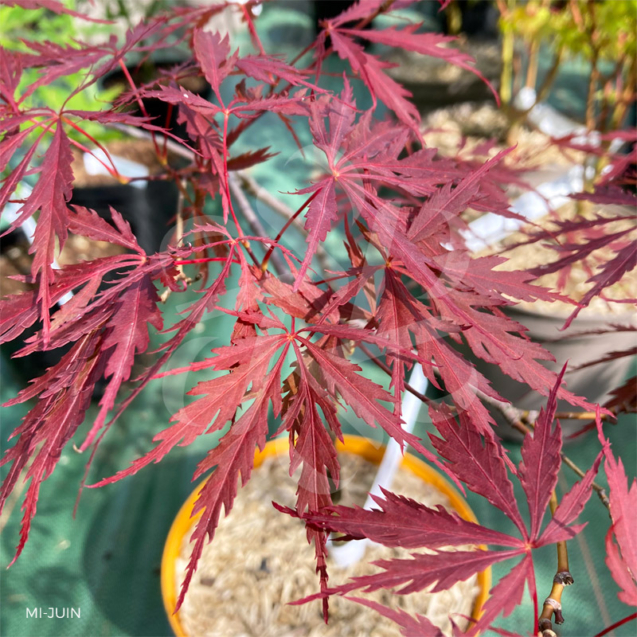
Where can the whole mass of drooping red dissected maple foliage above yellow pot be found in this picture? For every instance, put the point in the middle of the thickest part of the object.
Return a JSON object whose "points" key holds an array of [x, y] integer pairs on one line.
{"points": [[411, 294]]}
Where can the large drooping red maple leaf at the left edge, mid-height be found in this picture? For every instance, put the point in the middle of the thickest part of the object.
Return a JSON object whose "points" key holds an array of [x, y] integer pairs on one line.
{"points": [[105, 329]]}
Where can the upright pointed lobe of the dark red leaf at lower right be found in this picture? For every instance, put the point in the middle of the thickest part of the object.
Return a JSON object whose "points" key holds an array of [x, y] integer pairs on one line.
{"points": [[541, 460]]}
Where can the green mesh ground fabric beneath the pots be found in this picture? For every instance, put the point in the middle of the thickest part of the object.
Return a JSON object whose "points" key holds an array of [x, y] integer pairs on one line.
{"points": [[106, 561]]}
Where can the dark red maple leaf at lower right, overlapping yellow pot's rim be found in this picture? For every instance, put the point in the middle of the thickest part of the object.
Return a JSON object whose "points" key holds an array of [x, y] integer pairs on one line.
{"points": [[400, 521]]}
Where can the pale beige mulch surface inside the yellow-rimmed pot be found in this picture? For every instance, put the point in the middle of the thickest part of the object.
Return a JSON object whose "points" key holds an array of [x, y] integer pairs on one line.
{"points": [[260, 560]]}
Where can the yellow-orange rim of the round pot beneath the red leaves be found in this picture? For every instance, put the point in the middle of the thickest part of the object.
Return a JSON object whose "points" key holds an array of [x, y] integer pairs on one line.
{"points": [[357, 445]]}
